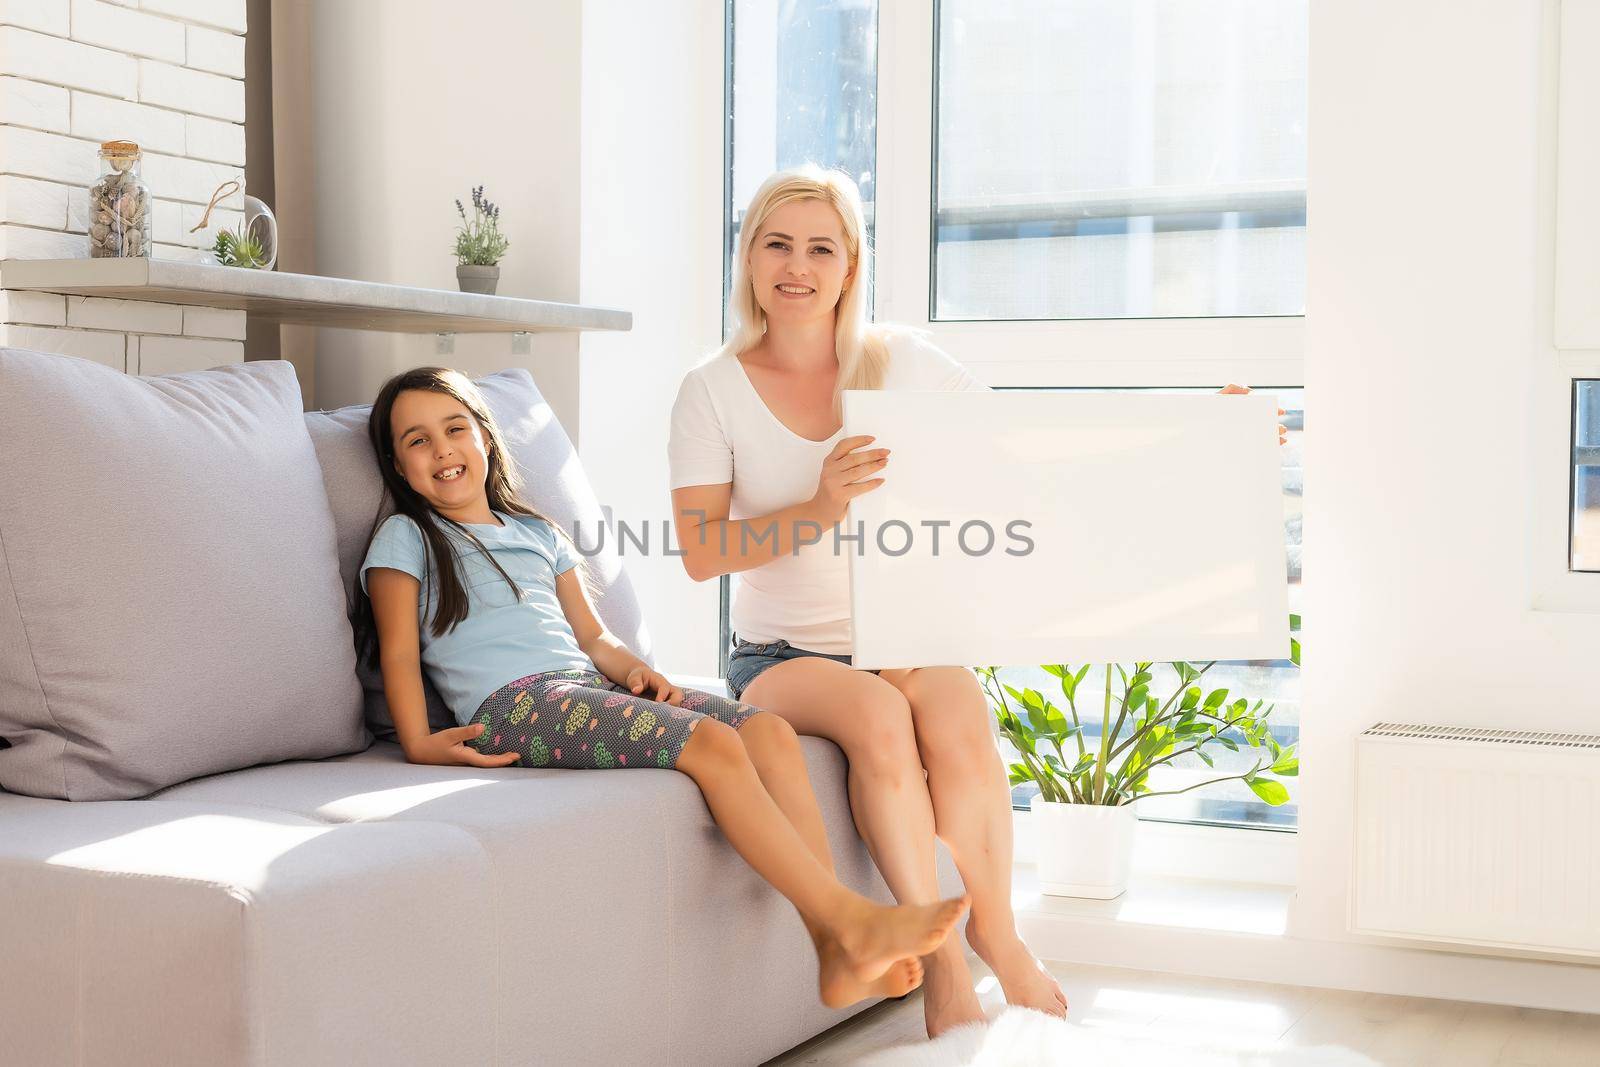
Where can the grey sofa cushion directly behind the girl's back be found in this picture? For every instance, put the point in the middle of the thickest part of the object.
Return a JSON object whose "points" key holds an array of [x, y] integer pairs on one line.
{"points": [[553, 482]]}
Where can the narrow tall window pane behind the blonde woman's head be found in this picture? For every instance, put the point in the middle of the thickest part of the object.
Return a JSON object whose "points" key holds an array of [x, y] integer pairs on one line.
{"points": [[802, 86]]}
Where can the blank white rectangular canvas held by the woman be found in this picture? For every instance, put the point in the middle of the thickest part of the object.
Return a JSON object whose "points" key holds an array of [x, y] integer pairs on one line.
{"points": [[1156, 527]]}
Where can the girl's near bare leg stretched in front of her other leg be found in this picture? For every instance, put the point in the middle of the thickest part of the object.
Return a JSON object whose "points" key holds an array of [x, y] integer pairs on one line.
{"points": [[871, 937]]}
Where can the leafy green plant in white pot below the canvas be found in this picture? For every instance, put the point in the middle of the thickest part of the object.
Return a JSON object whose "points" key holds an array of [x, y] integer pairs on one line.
{"points": [[1082, 818]]}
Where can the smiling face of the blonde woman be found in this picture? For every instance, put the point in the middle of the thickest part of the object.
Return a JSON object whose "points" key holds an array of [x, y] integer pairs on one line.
{"points": [[799, 265]]}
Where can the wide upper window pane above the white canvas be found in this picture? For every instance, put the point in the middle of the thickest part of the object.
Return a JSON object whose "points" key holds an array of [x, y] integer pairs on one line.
{"points": [[1100, 159]]}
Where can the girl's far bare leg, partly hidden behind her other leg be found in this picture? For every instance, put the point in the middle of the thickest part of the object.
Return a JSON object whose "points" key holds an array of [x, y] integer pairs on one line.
{"points": [[775, 753]]}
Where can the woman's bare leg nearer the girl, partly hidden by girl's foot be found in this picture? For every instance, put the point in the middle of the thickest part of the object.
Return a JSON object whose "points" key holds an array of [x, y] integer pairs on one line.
{"points": [[889, 797]]}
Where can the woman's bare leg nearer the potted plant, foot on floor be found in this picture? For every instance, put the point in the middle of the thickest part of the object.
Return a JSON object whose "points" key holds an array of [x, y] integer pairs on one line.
{"points": [[972, 809]]}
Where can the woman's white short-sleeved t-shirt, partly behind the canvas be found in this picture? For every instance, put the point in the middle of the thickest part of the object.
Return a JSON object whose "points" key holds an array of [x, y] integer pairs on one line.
{"points": [[722, 431]]}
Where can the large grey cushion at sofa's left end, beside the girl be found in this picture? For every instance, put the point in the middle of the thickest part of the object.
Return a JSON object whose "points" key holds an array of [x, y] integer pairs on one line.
{"points": [[169, 585]]}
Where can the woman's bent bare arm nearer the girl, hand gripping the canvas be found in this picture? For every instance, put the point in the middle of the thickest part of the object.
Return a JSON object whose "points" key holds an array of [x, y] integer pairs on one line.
{"points": [[713, 545]]}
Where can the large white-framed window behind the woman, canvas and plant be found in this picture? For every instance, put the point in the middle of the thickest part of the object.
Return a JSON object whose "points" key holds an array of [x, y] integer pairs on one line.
{"points": [[1074, 194]]}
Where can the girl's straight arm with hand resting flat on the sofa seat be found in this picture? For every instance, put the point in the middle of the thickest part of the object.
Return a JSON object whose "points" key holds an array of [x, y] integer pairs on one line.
{"points": [[394, 597]]}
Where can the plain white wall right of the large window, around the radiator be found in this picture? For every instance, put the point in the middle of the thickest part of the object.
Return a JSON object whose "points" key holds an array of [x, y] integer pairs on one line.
{"points": [[1428, 329]]}
